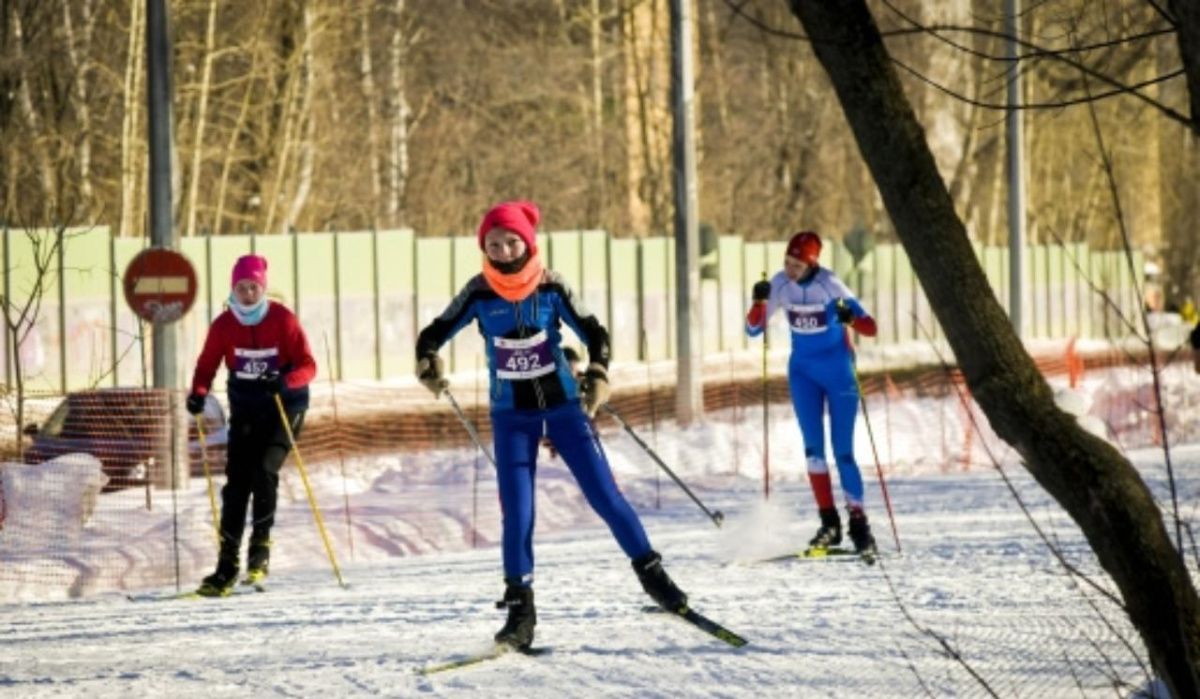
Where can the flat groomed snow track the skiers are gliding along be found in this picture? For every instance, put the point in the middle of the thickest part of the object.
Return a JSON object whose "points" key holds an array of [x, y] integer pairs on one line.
{"points": [[973, 571]]}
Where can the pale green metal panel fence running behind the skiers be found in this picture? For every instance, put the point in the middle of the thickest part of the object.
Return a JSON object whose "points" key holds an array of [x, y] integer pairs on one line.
{"points": [[363, 296]]}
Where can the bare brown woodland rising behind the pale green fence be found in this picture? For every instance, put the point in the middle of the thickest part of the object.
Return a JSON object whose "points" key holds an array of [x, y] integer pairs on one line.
{"points": [[375, 115]]}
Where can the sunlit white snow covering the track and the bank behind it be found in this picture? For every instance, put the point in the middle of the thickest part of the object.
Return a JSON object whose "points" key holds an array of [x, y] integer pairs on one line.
{"points": [[975, 604]]}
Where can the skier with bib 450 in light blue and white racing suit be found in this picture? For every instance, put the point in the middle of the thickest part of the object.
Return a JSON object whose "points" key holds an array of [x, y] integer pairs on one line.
{"points": [[820, 310]]}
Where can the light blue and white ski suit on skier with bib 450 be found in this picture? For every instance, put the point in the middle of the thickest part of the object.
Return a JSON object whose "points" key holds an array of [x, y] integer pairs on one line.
{"points": [[821, 372]]}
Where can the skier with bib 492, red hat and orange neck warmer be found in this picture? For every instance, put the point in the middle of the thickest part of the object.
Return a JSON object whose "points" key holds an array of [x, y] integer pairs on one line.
{"points": [[520, 308]]}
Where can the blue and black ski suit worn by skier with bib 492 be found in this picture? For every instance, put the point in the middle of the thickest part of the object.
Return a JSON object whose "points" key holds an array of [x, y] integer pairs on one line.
{"points": [[535, 393]]}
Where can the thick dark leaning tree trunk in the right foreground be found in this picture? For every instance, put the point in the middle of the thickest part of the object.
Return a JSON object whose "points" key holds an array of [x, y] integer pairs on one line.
{"points": [[1091, 480]]}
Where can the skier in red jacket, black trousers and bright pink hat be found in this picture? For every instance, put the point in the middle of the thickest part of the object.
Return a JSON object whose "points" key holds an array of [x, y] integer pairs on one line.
{"points": [[266, 354]]}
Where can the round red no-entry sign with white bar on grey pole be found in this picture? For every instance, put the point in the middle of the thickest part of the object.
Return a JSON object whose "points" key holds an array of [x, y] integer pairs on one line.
{"points": [[160, 285]]}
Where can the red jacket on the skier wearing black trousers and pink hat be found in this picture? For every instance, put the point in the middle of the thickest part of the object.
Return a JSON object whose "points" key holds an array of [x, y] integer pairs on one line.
{"points": [[277, 344]]}
